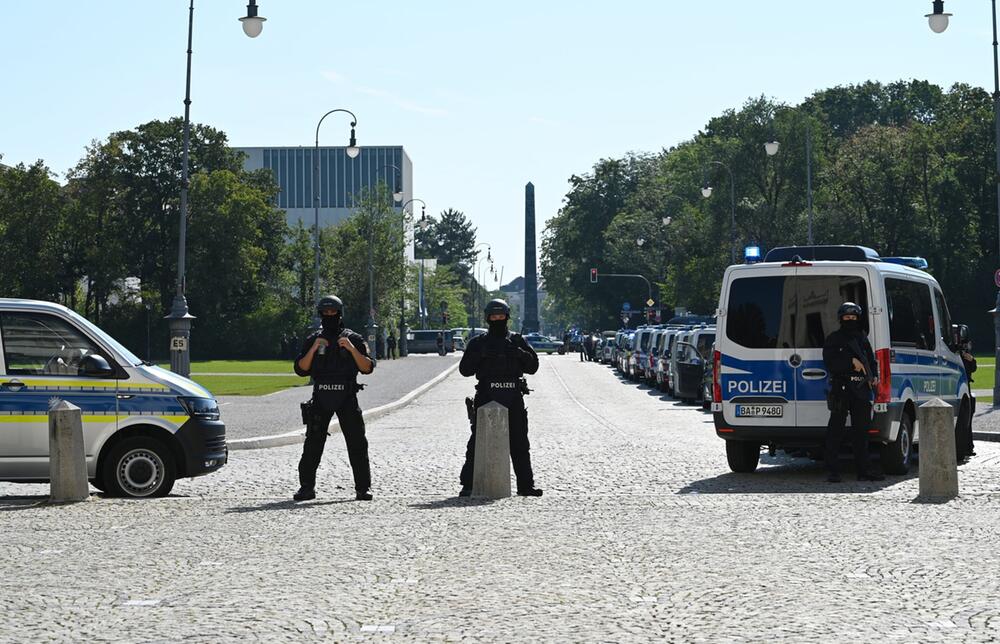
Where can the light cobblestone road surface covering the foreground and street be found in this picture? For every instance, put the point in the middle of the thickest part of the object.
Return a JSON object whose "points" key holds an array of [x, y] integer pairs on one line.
{"points": [[643, 534]]}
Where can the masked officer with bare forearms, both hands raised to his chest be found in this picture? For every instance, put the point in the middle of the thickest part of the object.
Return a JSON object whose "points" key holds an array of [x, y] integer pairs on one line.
{"points": [[333, 357]]}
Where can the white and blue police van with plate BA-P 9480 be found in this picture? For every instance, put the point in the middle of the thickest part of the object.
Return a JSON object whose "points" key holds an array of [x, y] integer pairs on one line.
{"points": [[769, 379]]}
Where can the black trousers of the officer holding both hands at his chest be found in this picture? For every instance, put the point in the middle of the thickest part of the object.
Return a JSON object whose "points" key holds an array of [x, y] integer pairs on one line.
{"points": [[352, 426]]}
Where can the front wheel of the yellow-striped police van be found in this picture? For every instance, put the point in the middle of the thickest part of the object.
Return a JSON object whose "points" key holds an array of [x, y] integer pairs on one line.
{"points": [[139, 467]]}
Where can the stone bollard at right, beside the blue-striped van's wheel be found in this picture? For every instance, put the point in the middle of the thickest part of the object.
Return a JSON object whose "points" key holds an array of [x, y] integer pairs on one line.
{"points": [[938, 466]]}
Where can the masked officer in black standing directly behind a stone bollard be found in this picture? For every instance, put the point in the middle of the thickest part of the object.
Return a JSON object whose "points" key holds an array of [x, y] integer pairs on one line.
{"points": [[499, 359]]}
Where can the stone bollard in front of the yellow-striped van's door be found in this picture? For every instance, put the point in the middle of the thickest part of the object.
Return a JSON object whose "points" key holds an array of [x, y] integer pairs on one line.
{"points": [[67, 457]]}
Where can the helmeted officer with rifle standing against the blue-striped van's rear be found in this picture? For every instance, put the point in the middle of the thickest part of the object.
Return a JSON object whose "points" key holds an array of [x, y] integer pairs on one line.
{"points": [[853, 376]]}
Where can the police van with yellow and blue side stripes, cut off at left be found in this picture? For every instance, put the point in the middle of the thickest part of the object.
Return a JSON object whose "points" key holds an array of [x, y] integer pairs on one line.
{"points": [[143, 426]]}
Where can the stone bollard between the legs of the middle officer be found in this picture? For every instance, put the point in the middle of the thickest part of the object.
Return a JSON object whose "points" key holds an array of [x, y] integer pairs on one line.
{"points": [[491, 471]]}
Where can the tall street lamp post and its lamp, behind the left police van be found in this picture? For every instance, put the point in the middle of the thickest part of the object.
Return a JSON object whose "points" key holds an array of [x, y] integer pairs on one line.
{"points": [[180, 316]]}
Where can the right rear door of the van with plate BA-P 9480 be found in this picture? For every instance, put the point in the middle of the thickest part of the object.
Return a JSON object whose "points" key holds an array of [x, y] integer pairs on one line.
{"points": [[821, 290]]}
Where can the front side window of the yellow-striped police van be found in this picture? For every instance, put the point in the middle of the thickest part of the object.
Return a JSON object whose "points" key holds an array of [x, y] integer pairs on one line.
{"points": [[38, 344]]}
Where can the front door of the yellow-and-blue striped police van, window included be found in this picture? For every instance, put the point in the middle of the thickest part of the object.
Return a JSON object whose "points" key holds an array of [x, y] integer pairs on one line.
{"points": [[41, 355]]}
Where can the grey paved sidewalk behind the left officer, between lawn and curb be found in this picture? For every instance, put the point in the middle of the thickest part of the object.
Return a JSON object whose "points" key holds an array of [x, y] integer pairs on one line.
{"points": [[254, 416]]}
